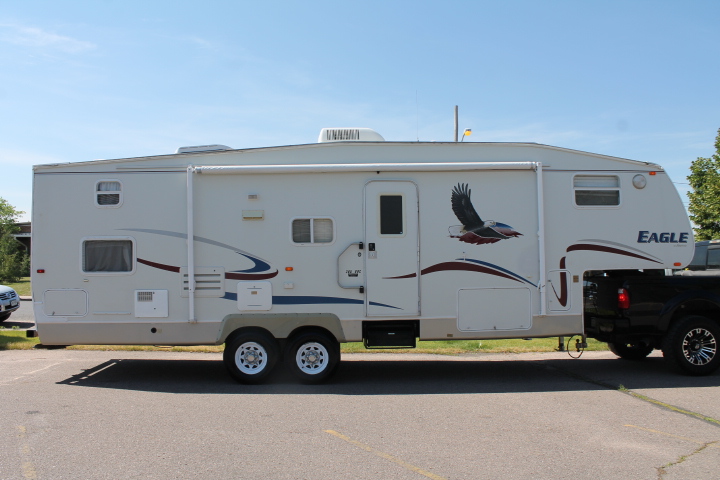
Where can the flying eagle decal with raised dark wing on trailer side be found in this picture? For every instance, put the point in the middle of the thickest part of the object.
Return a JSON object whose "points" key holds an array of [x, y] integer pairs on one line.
{"points": [[473, 229]]}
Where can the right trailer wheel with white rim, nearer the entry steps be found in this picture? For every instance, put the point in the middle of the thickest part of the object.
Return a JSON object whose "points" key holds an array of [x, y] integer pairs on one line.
{"points": [[313, 357]]}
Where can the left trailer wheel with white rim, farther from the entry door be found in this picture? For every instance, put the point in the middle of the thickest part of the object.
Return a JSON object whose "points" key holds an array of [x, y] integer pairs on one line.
{"points": [[250, 356]]}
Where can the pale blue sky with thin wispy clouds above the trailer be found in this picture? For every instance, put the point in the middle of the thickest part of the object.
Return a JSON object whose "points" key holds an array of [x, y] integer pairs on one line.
{"points": [[109, 79]]}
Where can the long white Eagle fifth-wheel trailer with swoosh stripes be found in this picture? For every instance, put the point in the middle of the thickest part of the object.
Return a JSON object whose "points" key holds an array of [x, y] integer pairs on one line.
{"points": [[289, 251]]}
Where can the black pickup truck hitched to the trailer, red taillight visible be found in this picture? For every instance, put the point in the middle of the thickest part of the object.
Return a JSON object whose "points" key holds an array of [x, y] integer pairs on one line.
{"points": [[636, 312]]}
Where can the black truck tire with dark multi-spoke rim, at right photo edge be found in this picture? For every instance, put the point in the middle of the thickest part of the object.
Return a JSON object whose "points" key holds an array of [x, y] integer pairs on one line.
{"points": [[691, 345]]}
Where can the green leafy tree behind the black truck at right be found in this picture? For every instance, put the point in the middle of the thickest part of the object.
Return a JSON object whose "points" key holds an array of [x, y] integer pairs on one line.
{"points": [[704, 205]]}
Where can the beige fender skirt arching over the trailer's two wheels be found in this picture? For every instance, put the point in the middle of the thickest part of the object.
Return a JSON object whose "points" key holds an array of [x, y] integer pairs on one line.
{"points": [[281, 325]]}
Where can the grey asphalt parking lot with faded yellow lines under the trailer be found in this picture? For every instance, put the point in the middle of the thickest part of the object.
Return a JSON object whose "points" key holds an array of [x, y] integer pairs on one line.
{"points": [[85, 414]]}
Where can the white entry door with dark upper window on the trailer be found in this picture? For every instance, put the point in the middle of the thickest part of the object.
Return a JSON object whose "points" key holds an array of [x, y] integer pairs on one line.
{"points": [[392, 260]]}
